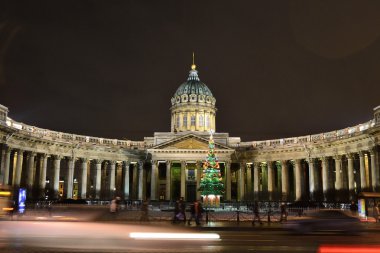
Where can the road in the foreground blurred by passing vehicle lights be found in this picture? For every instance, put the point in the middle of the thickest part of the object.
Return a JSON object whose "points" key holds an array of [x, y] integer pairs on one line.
{"points": [[42, 236]]}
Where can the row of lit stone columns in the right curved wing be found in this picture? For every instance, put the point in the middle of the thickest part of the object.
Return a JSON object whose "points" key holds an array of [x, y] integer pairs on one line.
{"points": [[335, 178]]}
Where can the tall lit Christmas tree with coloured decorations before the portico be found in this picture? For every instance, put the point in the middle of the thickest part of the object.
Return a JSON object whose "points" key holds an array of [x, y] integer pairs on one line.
{"points": [[211, 186]]}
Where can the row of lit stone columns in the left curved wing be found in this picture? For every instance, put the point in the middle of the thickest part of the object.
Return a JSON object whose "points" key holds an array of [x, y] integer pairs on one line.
{"points": [[82, 178]]}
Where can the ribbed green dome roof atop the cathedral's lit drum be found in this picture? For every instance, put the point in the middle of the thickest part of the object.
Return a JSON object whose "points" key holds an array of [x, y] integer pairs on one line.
{"points": [[193, 86]]}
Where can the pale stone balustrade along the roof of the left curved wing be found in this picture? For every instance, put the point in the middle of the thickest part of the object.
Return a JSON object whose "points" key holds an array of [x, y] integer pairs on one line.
{"points": [[72, 138]]}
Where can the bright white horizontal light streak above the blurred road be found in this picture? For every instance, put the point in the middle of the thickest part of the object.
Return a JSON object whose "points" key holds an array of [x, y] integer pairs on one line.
{"points": [[174, 236]]}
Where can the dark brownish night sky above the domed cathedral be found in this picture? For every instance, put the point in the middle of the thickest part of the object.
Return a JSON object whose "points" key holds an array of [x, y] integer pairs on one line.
{"points": [[109, 68]]}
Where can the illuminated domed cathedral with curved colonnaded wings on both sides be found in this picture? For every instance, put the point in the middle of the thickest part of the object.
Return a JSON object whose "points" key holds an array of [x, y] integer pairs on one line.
{"points": [[331, 166]]}
